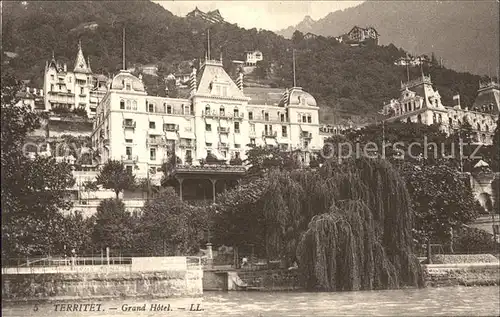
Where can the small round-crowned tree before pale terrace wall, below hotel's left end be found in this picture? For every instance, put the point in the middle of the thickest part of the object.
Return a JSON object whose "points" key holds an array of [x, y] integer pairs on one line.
{"points": [[113, 175]]}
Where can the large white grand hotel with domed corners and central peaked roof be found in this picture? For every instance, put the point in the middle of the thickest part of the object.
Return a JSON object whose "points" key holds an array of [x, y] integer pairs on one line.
{"points": [[218, 117]]}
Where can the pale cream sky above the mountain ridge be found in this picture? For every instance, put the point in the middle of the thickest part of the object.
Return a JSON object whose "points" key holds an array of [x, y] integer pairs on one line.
{"points": [[269, 15]]}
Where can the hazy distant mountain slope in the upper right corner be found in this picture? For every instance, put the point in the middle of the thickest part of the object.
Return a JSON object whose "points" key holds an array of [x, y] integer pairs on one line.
{"points": [[464, 33]]}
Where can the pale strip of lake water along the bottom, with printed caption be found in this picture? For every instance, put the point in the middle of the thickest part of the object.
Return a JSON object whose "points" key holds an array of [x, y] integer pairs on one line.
{"points": [[446, 301]]}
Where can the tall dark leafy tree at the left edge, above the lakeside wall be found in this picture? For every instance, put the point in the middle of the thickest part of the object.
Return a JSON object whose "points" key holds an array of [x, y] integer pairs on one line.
{"points": [[33, 190]]}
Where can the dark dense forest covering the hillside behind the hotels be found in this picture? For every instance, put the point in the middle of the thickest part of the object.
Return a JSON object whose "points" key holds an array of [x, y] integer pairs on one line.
{"points": [[351, 80]]}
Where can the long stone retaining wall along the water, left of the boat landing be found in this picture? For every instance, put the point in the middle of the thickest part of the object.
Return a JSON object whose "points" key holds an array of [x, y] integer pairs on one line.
{"points": [[95, 285]]}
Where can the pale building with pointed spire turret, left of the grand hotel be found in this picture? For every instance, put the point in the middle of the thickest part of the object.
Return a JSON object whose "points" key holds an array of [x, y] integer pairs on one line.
{"points": [[67, 90]]}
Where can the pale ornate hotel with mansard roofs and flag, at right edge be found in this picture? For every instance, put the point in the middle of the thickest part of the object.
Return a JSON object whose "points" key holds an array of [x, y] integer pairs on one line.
{"points": [[420, 102]]}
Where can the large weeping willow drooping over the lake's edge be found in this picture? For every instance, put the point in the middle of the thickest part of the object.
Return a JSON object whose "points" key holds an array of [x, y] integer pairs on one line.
{"points": [[348, 225]]}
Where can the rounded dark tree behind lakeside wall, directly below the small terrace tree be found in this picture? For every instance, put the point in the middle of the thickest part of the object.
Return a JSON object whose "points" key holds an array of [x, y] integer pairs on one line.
{"points": [[113, 226]]}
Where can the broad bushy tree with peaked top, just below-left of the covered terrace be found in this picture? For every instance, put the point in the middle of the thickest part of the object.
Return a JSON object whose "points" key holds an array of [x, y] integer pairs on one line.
{"points": [[169, 226]]}
